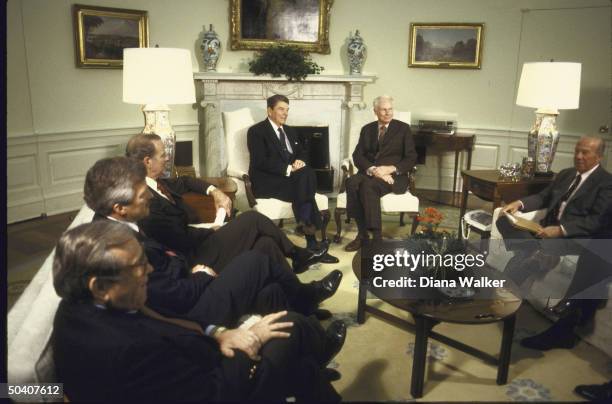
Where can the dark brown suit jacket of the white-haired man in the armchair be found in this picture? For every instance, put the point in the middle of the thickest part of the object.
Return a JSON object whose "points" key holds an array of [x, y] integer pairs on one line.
{"points": [[396, 148]]}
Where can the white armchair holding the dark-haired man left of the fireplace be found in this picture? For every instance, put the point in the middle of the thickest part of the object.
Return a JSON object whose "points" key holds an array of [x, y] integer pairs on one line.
{"points": [[236, 124]]}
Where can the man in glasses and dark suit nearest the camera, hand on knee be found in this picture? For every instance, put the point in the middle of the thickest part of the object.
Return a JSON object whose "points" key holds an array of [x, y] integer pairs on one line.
{"points": [[106, 349]]}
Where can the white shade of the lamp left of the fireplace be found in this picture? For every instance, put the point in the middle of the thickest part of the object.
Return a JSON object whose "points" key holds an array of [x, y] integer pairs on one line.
{"points": [[157, 76]]}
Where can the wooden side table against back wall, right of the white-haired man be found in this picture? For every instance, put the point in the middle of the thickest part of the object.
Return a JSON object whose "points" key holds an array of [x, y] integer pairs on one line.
{"points": [[457, 143]]}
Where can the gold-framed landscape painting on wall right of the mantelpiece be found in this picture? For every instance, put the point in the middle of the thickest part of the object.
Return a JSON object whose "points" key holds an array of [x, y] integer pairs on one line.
{"points": [[446, 45]]}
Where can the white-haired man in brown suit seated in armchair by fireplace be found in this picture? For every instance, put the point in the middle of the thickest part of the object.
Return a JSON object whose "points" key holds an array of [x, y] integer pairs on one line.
{"points": [[384, 156]]}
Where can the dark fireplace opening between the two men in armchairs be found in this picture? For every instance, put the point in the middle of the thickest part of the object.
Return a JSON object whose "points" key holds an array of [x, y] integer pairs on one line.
{"points": [[316, 142]]}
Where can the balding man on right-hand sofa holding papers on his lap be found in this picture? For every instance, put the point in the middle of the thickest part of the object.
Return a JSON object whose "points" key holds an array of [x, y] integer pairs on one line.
{"points": [[579, 204]]}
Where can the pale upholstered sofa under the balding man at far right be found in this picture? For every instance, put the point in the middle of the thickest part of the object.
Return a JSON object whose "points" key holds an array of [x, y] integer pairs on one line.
{"points": [[554, 284]]}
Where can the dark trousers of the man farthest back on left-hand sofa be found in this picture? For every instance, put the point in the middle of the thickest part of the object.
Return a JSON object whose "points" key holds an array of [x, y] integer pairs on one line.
{"points": [[248, 231]]}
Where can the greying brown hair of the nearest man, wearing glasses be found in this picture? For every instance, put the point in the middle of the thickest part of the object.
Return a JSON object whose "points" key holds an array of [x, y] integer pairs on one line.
{"points": [[85, 252]]}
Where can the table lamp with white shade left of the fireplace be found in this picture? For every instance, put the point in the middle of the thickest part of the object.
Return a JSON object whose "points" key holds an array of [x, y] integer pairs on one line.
{"points": [[154, 78]]}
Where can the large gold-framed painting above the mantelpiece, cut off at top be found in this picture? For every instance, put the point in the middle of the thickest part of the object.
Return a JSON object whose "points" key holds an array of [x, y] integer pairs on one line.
{"points": [[259, 24]]}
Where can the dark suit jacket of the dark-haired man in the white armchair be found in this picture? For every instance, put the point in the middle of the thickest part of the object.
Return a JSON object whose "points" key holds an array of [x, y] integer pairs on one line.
{"points": [[268, 165]]}
